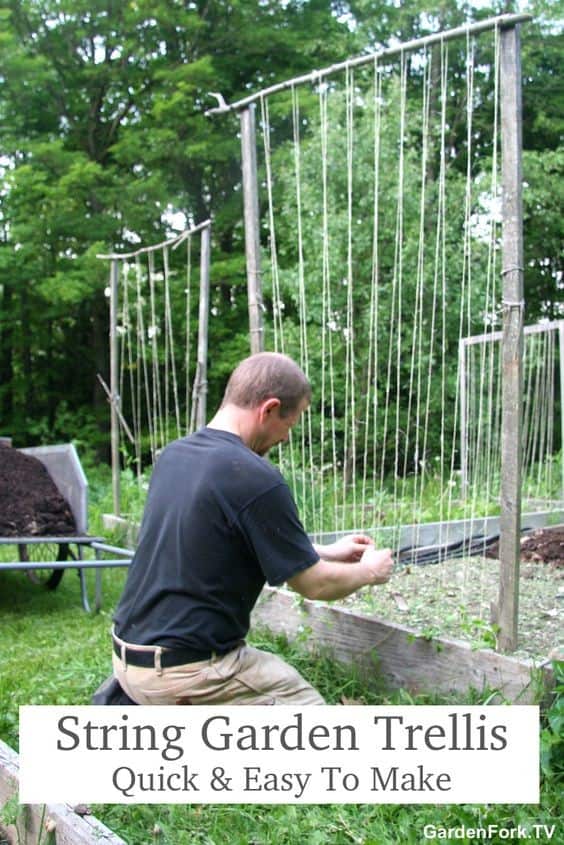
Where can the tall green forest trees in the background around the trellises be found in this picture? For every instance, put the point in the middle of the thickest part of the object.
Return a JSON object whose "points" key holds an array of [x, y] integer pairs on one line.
{"points": [[104, 144]]}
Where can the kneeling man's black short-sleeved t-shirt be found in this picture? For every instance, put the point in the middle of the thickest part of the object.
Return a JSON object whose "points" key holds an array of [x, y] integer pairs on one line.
{"points": [[219, 522]]}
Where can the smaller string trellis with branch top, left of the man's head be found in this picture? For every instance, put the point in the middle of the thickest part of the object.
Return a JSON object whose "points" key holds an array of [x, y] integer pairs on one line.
{"points": [[158, 381]]}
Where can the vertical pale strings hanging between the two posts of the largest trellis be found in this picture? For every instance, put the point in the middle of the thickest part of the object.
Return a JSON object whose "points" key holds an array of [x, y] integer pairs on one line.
{"points": [[394, 257]]}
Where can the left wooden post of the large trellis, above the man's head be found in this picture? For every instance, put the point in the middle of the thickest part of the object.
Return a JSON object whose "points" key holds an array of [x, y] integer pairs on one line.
{"points": [[252, 227]]}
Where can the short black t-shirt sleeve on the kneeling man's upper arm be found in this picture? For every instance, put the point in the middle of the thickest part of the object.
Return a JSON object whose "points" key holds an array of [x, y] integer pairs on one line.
{"points": [[273, 530]]}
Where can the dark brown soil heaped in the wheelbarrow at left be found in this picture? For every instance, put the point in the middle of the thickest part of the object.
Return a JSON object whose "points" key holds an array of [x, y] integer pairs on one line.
{"points": [[30, 503]]}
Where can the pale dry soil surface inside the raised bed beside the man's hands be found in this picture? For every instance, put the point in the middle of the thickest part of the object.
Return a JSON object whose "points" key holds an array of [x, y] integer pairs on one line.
{"points": [[455, 599]]}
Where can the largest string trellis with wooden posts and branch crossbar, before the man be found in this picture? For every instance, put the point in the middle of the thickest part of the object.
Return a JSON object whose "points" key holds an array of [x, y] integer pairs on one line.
{"points": [[393, 238]]}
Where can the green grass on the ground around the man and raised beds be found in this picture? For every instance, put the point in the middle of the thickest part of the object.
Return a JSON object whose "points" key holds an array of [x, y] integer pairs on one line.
{"points": [[51, 652]]}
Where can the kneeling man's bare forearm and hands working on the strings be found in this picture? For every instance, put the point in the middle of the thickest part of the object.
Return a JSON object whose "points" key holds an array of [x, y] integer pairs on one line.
{"points": [[328, 581]]}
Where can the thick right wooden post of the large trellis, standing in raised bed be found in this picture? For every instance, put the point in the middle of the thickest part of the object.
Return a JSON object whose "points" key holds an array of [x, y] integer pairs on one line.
{"points": [[512, 340]]}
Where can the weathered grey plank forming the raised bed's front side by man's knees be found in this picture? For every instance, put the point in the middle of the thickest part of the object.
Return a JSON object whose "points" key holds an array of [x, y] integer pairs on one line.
{"points": [[391, 654]]}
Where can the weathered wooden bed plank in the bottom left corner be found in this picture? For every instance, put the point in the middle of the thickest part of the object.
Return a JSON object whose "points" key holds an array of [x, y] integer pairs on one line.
{"points": [[69, 828]]}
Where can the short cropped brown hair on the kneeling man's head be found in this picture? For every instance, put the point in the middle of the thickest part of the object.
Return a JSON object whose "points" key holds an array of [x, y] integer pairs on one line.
{"points": [[267, 375]]}
